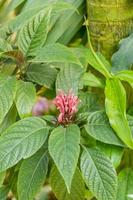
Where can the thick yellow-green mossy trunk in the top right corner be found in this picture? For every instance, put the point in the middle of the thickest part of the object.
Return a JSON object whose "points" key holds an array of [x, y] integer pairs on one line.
{"points": [[109, 21]]}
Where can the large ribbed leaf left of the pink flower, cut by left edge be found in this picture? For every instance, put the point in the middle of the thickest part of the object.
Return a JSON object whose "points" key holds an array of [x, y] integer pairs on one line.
{"points": [[21, 140]]}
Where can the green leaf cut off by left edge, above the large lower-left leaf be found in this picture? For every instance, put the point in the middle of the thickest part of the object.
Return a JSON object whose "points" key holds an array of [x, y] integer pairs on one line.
{"points": [[7, 92]]}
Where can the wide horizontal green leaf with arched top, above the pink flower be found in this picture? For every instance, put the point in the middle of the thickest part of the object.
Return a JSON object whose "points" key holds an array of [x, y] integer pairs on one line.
{"points": [[56, 53]]}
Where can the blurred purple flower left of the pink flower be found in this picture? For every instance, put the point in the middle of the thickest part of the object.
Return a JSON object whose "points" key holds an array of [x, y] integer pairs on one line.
{"points": [[40, 107]]}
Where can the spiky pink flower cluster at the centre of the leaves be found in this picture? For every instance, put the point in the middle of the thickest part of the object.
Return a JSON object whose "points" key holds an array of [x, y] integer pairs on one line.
{"points": [[67, 105]]}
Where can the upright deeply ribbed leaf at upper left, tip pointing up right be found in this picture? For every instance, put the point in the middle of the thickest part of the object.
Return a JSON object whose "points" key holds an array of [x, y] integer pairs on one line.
{"points": [[34, 33]]}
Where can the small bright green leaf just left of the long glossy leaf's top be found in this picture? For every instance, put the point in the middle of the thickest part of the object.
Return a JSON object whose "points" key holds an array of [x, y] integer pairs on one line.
{"points": [[89, 79]]}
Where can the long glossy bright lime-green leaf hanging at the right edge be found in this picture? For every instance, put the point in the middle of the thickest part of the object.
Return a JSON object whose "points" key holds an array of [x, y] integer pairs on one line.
{"points": [[115, 104]]}
